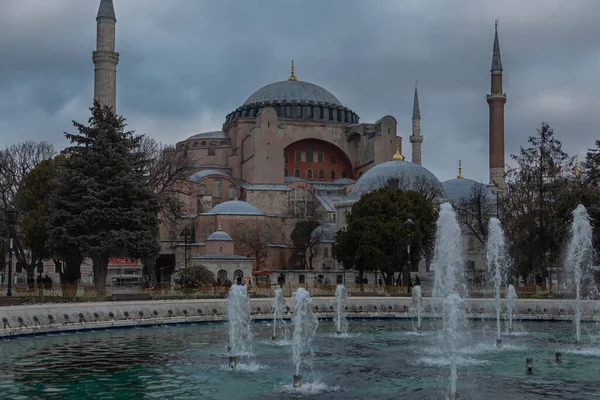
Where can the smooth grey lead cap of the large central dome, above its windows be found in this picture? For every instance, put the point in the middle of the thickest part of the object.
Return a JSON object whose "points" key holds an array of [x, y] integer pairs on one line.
{"points": [[299, 91]]}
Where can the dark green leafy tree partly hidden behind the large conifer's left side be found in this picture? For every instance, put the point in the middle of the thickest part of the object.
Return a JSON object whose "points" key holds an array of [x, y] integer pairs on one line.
{"points": [[31, 200]]}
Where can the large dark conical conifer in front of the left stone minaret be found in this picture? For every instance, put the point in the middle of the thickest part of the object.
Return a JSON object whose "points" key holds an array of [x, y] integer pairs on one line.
{"points": [[102, 205]]}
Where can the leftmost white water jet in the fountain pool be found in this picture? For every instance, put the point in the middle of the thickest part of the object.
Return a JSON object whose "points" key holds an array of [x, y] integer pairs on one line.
{"points": [[240, 334]]}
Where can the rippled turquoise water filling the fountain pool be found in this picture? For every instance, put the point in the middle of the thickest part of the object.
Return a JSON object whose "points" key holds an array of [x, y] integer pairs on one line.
{"points": [[380, 359]]}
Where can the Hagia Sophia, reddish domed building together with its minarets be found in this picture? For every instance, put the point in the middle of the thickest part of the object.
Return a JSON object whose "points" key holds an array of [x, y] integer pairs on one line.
{"points": [[293, 150]]}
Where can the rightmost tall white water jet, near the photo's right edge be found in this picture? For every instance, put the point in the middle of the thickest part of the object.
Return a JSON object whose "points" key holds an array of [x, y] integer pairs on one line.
{"points": [[579, 261]]}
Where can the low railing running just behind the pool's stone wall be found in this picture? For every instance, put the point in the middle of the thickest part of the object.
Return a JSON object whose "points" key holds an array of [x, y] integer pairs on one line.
{"points": [[85, 293]]}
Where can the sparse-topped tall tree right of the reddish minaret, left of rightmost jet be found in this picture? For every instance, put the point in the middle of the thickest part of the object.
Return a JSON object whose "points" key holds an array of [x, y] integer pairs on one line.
{"points": [[534, 219]]}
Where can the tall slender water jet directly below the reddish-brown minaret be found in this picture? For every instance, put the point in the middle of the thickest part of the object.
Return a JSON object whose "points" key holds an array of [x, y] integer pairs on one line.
{"points": [[495, 262]]}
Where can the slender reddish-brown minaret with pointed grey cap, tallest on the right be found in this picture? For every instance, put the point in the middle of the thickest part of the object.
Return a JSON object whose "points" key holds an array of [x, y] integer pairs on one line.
{"points": [[496, 100]]}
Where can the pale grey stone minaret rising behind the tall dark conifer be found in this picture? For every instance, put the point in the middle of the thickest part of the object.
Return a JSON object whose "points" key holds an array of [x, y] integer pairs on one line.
{"points": [[105, 58]]}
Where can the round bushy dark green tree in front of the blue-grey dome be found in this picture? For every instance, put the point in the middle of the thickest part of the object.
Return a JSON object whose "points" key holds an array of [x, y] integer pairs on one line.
{"points": [[376, 237]]}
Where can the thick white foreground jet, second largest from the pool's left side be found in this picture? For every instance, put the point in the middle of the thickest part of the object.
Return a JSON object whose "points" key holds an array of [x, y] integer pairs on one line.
{"points": [[305, 327]]}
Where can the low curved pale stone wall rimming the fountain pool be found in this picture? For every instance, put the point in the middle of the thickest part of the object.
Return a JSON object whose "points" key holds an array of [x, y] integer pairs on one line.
{"points": [[71, 317]]}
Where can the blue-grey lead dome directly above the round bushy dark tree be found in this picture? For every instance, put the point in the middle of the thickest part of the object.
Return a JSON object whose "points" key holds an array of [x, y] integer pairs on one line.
{"points": [[410, 176]]}
